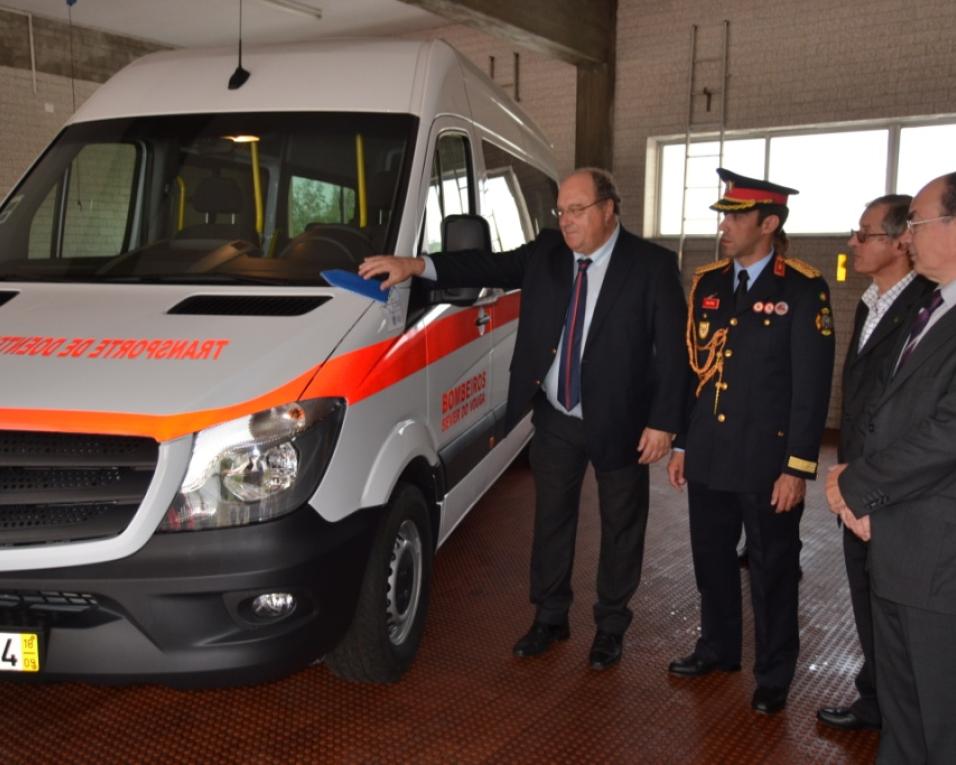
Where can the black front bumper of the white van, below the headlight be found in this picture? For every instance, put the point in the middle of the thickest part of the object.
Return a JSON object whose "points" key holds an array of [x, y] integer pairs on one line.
{"points": [[178, 611]]}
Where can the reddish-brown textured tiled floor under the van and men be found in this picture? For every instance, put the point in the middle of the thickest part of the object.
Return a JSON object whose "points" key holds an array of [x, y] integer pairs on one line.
{"points": [[466, 700]]}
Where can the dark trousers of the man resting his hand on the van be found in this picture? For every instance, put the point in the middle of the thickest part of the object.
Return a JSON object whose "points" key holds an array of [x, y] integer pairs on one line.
{"points": [[559, 459]]}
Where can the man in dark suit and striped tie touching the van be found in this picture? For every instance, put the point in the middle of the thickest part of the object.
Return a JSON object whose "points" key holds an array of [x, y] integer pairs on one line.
{"points": [[615, 404]]}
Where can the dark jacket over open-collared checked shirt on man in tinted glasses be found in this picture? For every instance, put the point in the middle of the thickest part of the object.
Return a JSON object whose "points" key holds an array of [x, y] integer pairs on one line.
{"points": [[864, 370]]}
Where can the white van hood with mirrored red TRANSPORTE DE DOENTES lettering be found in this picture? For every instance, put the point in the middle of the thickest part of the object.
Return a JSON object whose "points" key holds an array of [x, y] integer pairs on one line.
{"points": [[161, 350]]}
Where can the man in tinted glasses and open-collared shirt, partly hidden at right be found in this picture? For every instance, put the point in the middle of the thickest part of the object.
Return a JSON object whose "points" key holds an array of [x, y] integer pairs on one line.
{"points": [[880, 253]]}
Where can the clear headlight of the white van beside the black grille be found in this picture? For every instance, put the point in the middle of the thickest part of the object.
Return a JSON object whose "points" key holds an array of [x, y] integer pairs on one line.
{"points": [[256, 468]]}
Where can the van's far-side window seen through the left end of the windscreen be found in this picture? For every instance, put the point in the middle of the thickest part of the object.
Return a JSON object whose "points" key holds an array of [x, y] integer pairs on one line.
{"points": [[89, 209]]}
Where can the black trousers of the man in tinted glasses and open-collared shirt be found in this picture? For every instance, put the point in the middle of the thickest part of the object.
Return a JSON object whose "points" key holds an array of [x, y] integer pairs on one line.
{"points": [[855, 551]]}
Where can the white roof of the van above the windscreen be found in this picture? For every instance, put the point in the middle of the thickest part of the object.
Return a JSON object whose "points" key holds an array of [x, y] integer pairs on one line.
{"points": [[424, 78]]}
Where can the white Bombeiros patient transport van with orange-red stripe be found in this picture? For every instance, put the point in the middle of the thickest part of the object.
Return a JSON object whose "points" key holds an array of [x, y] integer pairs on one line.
{"points": [[215, 466]]}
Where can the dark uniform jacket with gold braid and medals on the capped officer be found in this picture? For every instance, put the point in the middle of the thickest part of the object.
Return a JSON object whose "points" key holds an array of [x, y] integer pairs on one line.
{"points": [[763, 408]]}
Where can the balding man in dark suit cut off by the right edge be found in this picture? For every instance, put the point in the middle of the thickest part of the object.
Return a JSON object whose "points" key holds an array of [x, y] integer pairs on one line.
{"points": [[900, 494]]}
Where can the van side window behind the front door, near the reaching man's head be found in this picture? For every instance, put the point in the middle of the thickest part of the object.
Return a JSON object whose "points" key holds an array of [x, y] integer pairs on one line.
{"points": [[511, 184]]}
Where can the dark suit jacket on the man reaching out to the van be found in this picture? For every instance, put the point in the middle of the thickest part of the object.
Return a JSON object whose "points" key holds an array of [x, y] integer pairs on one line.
{"points": [[633, 369]]}
